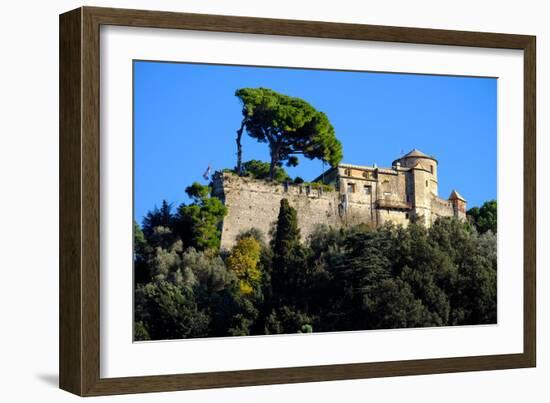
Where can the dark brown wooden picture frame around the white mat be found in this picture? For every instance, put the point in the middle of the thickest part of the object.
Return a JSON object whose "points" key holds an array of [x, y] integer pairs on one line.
{"points": [[79, 346]]}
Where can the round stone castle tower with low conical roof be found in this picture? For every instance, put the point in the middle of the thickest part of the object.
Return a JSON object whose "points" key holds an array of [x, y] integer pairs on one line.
{"points": [[421, 182]]}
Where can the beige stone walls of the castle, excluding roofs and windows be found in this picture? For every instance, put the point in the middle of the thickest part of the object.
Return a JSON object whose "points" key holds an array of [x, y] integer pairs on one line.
{"points": [[253, 203]]}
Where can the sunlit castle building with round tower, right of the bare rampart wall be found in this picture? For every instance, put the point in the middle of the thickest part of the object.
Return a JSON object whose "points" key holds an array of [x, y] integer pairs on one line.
{"points": [[408, 190]]}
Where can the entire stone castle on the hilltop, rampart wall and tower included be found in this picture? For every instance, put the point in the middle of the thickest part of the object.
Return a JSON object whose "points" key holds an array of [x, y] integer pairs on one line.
{"points": [[362, 194]]}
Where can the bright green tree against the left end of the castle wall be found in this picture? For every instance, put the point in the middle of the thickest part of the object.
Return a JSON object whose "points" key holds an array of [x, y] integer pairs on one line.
{"points": [[198, 224]]}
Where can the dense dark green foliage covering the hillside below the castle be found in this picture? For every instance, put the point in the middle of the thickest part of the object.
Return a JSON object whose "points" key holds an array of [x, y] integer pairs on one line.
{"points": [[354, 278]]}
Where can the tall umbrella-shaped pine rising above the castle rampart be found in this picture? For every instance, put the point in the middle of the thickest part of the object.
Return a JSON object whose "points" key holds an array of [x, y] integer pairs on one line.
{"points": [[289, 126]]}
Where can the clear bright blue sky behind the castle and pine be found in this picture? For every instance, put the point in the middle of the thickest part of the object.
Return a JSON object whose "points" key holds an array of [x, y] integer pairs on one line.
{"points": [[186, 116]]}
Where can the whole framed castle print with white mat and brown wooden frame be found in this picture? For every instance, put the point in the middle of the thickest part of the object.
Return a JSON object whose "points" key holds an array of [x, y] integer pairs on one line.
{"points": [[249, 201]]}
